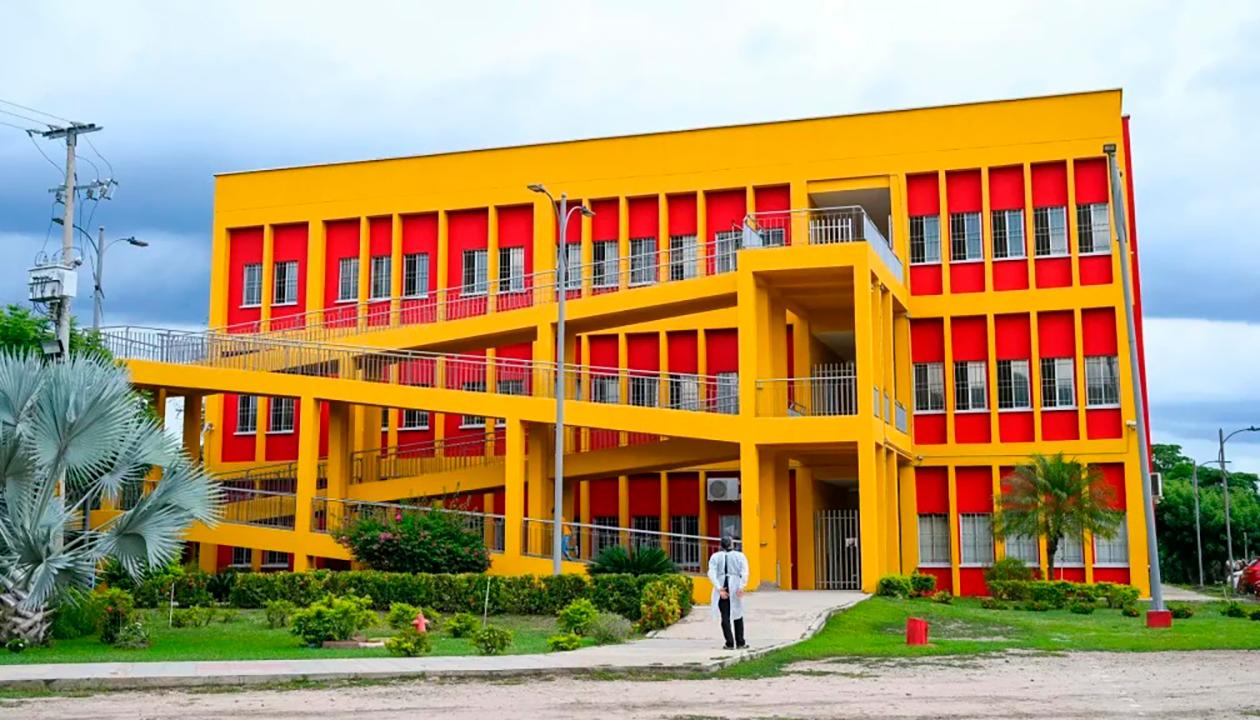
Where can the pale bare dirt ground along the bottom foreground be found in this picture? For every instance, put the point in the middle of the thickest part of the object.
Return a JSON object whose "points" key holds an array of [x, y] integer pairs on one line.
{"points": [[1080, 685]]}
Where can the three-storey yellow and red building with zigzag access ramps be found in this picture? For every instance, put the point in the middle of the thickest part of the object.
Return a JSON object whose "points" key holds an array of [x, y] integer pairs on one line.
{"points": [[828, 337]]}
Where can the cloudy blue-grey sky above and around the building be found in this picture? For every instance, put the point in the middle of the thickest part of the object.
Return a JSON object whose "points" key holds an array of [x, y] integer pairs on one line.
{"points": [[186, 90]]}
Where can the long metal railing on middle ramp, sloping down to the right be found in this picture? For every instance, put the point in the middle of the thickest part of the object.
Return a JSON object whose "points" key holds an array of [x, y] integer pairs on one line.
{"points": [[462, 373]]}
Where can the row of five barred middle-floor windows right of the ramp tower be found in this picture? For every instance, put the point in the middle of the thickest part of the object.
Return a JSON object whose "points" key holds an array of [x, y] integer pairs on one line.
{"points": [[1015, 385]]}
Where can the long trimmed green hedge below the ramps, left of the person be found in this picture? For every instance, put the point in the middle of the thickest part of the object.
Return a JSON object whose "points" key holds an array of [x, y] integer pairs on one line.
{"points": [[511, 595]]}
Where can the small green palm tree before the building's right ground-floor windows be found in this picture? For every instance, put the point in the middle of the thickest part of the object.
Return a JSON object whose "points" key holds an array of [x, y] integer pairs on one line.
{"points": [[1054, 497]]}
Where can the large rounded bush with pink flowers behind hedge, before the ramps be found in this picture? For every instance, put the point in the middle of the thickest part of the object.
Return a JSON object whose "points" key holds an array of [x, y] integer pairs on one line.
{"points": [[432, 542]]}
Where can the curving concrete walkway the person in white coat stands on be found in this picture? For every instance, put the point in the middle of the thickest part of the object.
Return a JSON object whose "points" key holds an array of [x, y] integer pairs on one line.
{"points": [[774, 620]]}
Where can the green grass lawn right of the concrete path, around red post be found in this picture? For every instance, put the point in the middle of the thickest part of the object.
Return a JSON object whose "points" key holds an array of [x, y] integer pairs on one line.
{"points": [[878, 629]]}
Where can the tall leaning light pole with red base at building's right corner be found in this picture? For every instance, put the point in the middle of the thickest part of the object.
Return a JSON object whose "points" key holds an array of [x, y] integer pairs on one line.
{"points": [[1140, 404]]}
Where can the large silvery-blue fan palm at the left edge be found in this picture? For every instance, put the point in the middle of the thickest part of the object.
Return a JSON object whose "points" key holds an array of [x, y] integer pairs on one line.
{"points": [[72, 434]]}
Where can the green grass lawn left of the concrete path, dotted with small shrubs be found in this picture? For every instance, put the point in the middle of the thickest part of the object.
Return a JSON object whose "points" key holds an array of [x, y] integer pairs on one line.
{"points": [[250, 639]]}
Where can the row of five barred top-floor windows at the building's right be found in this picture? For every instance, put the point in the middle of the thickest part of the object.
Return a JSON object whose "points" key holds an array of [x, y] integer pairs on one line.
{"points": [[1007, 235]]}
